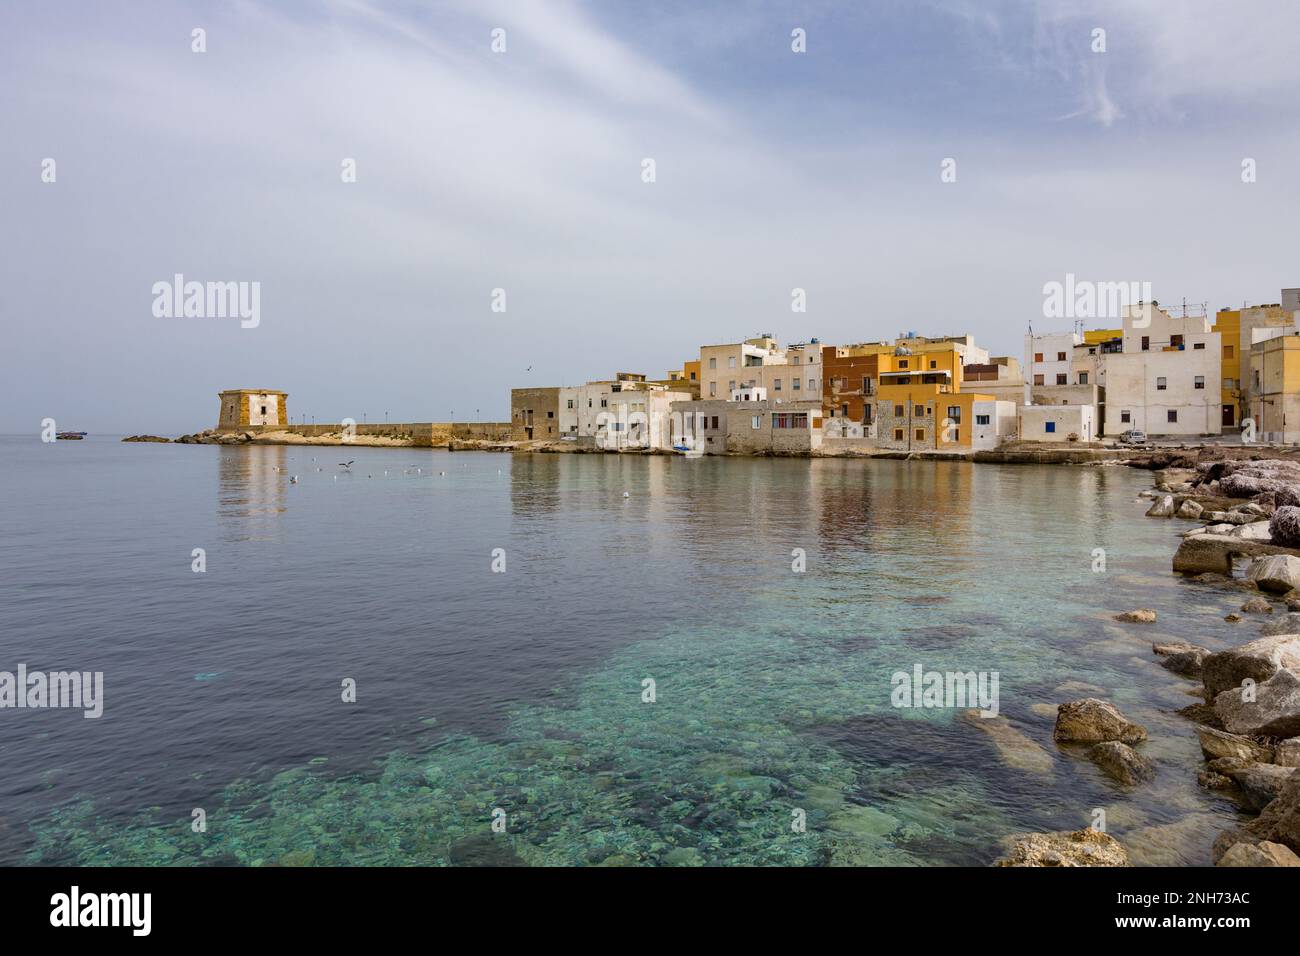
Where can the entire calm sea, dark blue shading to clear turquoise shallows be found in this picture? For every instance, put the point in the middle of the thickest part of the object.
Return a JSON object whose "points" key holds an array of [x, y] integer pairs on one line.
{"points": [[522, 693]]}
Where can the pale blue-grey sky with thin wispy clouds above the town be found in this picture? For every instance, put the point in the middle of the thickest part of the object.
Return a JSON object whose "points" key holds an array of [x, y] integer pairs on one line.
{"points": [[523, 170]]}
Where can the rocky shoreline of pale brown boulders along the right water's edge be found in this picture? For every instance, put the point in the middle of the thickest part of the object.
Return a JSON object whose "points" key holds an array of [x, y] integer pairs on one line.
{"points": [[1249, 720]]}
